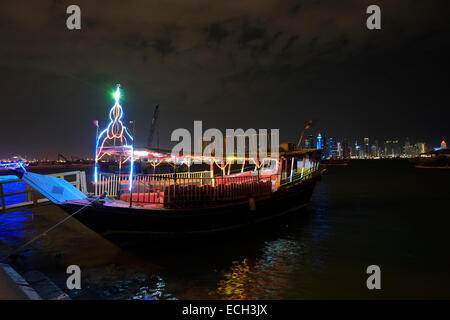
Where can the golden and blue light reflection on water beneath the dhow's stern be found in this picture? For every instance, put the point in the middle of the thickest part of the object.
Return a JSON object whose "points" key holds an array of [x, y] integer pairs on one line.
{"points": [[285, 266]]}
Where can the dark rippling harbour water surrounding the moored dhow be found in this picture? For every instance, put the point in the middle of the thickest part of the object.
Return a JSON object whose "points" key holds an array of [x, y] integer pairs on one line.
{"points": [[382, 212]]}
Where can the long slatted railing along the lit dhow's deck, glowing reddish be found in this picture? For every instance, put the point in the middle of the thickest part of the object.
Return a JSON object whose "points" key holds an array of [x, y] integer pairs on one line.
{"points": [[176, 191]]}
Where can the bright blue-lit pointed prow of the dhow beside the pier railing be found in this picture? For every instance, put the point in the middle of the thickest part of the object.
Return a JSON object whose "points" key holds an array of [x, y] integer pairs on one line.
{"points": [[54, 189]]}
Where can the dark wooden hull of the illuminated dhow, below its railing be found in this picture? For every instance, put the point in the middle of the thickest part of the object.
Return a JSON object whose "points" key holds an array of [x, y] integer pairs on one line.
{"points": [[186, 222]]}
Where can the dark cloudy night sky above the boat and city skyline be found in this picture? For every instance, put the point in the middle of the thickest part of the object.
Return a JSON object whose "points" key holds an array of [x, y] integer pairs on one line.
{"points": [[233, 64]]}
